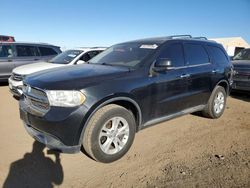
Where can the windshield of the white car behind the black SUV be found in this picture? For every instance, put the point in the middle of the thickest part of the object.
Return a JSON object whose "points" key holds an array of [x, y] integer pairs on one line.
{"points": [[66, 57]]}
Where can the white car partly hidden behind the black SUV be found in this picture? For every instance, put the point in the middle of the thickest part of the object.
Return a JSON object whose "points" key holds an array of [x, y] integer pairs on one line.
{"points": [[68, 57]]}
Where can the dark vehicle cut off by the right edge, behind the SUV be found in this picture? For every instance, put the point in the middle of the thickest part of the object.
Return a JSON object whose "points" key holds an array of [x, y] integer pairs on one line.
{"points": [[241, 63]]}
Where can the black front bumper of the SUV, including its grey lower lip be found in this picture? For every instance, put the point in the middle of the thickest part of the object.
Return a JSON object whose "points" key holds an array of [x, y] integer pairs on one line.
{"points": [[60, 128]]}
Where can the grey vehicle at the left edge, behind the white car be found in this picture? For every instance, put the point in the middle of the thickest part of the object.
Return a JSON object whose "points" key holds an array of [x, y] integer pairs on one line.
{"points": [[16, 54]]}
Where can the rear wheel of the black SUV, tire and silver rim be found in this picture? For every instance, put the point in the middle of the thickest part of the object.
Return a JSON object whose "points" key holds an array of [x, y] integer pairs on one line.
{"points": [[218, 97]]}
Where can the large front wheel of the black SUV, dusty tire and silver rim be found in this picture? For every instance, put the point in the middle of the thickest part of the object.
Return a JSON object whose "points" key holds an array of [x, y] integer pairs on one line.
{"points": [[106, 126]]}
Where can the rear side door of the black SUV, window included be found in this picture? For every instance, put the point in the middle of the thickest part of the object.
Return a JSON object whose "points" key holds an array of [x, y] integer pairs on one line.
{"points": [[200, 70]]}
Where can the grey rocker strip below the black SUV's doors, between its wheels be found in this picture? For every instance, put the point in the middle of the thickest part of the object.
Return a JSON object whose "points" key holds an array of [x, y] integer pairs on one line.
{"points": [[171, 116]]}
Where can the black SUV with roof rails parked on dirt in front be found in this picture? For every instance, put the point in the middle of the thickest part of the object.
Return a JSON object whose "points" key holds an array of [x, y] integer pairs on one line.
{"points": [[99, 106]]}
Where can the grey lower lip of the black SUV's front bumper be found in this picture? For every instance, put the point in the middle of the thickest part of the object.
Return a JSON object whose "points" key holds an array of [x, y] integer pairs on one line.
{"points": [[51, 141]]}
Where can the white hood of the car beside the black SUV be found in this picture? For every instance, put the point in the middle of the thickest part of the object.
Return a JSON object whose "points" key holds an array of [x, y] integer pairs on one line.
{"points": [[35, 67]]}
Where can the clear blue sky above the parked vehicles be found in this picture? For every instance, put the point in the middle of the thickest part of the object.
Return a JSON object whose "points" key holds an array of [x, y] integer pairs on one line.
{"points": [[77, 23]]}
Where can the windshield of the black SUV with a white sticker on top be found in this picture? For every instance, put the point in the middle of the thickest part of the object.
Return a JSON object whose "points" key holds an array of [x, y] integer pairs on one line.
{"points": [[127, 54]]}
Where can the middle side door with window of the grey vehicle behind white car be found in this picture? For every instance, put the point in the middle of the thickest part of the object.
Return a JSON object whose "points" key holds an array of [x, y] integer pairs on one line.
{"points": [[26, 54]]}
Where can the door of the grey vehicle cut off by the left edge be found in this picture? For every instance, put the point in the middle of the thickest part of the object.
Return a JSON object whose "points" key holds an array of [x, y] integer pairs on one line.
{"points": [[6, 60]]}
